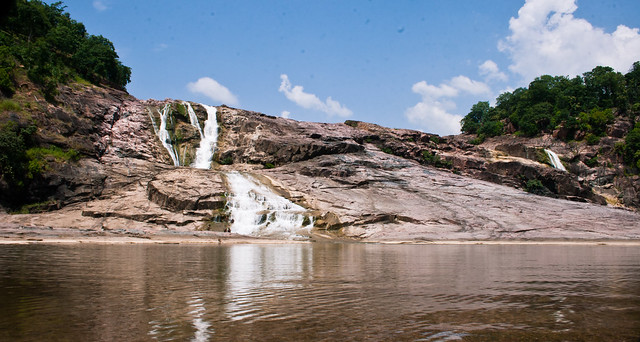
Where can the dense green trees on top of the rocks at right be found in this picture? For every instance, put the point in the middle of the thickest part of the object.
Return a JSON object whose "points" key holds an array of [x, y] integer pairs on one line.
{"points": [[580, 107]]}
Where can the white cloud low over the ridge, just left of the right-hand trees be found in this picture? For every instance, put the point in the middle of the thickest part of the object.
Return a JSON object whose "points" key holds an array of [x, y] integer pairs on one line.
{"points": [[433, 112]]}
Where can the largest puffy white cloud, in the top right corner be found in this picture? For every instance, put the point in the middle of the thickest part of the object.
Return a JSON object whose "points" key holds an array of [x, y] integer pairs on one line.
{"points": [[547, 39]]}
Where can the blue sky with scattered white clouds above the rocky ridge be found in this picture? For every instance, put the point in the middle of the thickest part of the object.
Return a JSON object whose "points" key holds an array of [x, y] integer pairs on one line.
{"points": [[402, 64]]}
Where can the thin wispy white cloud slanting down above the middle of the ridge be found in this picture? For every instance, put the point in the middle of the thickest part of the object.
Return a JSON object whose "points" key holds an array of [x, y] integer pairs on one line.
{"points": [[297, 95]]}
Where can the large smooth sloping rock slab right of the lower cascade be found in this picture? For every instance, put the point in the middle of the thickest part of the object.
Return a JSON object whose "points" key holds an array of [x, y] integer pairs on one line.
{"points": [[375, 196]]}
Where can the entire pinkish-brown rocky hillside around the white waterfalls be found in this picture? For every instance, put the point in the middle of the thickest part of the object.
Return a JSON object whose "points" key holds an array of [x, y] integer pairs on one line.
{"points": [[360, 180]]}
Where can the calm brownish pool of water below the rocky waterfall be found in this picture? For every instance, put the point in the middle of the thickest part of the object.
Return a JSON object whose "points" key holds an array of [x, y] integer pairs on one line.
{"points": [[319, 292]]}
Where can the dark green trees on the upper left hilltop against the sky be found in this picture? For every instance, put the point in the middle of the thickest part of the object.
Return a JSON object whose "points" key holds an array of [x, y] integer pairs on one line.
{"points": [[53, 48]]}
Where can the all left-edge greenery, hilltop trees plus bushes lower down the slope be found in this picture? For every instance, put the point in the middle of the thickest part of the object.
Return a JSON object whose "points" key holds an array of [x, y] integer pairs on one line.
{"points": [[41, 43]]}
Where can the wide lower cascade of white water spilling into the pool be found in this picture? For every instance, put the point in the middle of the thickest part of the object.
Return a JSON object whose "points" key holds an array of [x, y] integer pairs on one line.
{"points": [[257, 210]]}
